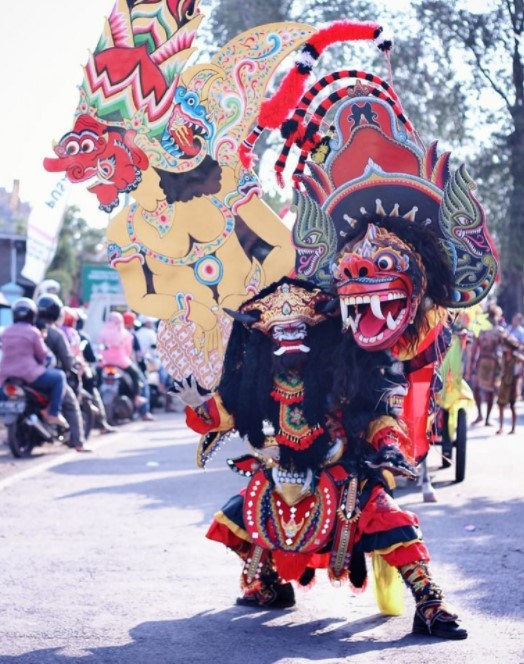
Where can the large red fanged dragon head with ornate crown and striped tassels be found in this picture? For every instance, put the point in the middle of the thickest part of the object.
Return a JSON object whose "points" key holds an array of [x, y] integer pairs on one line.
{"points": [[371, 203]]}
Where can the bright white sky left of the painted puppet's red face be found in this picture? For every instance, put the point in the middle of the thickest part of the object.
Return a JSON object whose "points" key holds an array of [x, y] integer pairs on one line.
{"points": [[42, 50]]}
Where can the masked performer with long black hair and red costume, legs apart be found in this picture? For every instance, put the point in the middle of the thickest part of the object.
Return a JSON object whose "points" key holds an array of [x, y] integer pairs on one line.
{"points": [[305, 398]]}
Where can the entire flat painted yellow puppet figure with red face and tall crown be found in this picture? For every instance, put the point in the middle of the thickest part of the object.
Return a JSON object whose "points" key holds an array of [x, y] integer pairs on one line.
{"points": [[197, 236]]}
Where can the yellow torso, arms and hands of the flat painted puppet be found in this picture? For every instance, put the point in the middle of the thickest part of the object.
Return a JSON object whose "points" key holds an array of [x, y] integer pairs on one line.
{"points": [[184, 261]]}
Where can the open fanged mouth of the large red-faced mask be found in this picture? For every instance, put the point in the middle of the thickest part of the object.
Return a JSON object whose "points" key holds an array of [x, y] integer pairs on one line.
{"points": [[377, 320]]}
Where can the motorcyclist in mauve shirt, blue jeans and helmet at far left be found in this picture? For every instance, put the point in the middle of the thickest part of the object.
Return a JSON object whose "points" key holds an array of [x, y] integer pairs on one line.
{"points": [[25, 355]]}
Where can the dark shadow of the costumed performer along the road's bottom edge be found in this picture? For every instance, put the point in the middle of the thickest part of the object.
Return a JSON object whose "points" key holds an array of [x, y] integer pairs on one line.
{"points": [[235, 636]]}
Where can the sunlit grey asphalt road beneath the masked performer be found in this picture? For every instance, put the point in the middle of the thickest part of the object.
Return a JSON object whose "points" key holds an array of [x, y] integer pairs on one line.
{"points": [[103, 560]]}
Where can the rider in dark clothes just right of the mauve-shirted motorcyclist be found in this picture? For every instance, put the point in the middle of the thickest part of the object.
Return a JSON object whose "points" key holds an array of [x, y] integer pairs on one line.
{"points": [[49, 312]]}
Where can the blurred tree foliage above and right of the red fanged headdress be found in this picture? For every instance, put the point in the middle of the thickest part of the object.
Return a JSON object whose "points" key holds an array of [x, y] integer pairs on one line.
{"points": [[458, 68]]}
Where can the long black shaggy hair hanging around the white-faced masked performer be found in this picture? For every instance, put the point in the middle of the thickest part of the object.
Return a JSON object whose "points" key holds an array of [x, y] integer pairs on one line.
{"points": [[339, 378]]}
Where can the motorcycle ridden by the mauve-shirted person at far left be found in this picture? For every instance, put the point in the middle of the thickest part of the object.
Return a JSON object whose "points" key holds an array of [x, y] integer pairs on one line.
{"points": [[21, 410]]}
